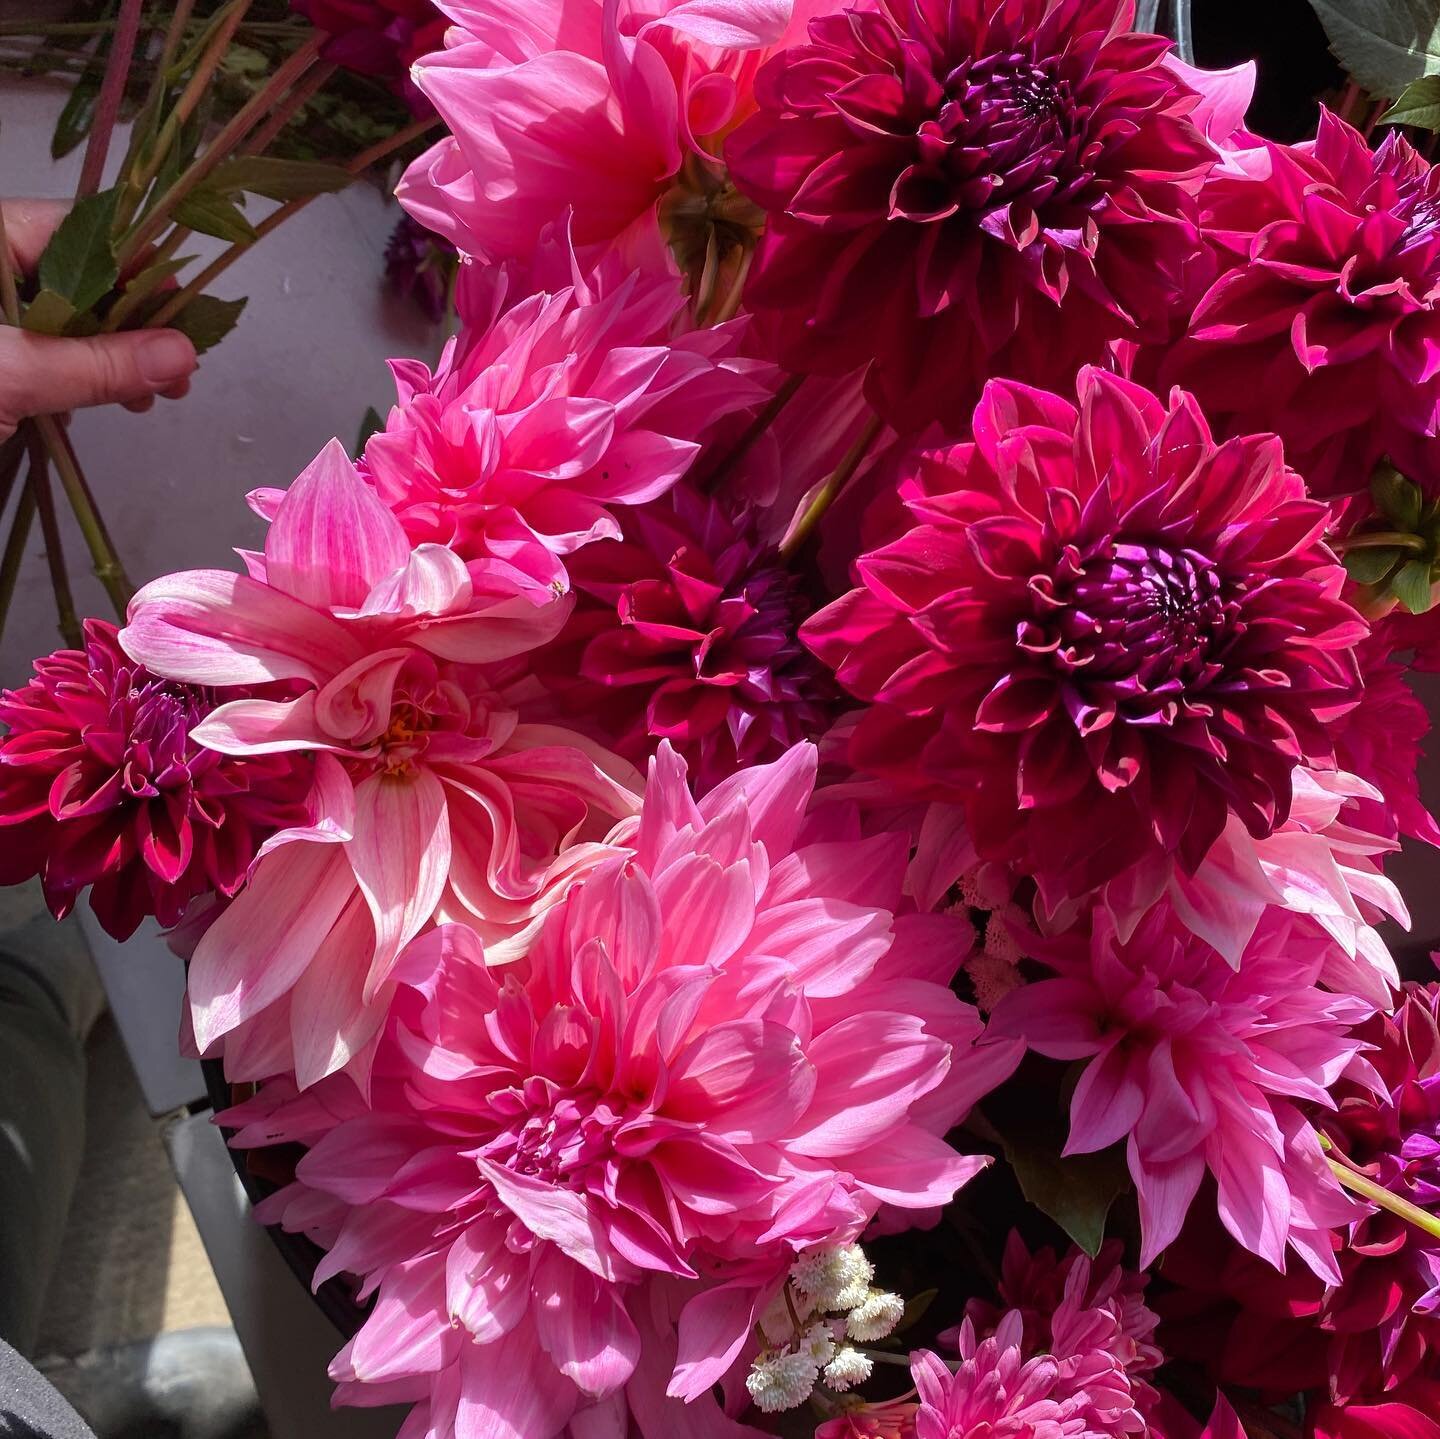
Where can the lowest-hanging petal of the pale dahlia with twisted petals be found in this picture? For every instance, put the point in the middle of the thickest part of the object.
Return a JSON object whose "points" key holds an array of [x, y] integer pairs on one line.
{"points": [[330, 1019]]}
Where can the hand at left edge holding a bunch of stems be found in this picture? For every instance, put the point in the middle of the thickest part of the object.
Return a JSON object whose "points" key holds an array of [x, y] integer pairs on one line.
{"points": [[44, 375]]}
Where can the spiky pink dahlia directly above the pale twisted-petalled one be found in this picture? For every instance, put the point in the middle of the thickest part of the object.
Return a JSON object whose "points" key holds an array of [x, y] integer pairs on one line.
{"points": [[545, 418]]}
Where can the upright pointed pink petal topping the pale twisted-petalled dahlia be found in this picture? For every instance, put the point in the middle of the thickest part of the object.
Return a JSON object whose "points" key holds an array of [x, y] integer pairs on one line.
{"points": [[332, 538]]}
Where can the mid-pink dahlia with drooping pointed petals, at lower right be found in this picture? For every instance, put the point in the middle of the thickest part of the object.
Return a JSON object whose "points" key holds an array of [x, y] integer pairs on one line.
{"points": [[1199, 1067]]}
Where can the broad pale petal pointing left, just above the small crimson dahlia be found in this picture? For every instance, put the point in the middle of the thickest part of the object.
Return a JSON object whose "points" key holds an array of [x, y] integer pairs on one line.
{"points": [[211, 627]]}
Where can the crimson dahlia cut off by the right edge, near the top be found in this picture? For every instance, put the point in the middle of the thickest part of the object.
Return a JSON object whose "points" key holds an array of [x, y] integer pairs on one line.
{"points": [[1326, 320]]}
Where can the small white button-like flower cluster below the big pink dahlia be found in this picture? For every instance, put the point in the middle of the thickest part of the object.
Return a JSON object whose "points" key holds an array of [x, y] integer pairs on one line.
{"points": [[827, 1300]]}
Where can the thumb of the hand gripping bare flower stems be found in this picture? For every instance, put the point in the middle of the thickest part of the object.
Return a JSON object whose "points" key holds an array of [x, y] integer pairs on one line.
{"points": [[44, 375]]}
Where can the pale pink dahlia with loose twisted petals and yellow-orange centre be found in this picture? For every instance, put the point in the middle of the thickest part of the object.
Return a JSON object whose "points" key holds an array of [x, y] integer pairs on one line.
{"points": [[430, 794]]}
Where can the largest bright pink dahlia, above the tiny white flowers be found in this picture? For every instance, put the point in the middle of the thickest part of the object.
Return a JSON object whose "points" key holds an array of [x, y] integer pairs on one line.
{"points": [[719, 1051]]}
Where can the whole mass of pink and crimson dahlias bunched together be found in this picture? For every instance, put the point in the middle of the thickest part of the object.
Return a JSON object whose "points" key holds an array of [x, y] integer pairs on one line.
{"points": [[801, 842]]}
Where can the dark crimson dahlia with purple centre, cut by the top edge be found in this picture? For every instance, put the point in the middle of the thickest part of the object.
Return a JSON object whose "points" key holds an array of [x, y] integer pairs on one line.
{"points": [[960, 189]]}
